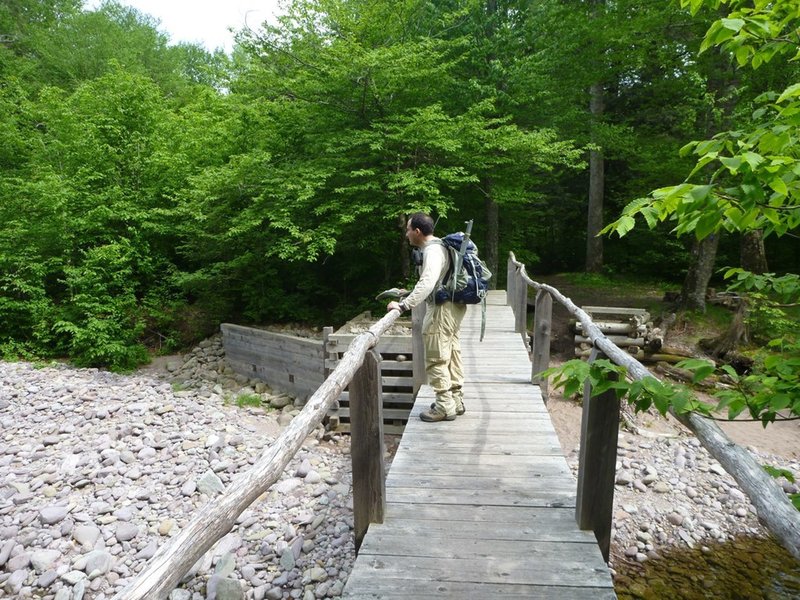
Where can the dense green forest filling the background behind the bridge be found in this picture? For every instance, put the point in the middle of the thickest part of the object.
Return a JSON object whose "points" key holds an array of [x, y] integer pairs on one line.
{"points": [[149, 191]]}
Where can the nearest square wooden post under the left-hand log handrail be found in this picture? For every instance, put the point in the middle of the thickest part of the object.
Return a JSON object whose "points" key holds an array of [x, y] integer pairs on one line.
{"points": [[366, 446]]}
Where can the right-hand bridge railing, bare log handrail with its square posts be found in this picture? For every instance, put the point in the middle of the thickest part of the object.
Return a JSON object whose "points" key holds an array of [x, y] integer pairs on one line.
{"points": [[598, 446]]}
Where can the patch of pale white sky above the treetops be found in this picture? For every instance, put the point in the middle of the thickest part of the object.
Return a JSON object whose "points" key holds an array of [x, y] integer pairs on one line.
{"points": [[203, 21]]}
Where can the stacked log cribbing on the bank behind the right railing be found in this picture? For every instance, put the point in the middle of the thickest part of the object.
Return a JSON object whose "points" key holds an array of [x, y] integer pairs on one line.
{"points": [[631, 329]]}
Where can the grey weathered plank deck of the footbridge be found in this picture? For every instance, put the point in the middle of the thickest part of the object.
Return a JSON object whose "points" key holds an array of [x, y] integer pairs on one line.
{"points": [[482, 507]]}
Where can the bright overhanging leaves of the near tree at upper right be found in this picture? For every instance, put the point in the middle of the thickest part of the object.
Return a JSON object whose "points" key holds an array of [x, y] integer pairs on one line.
{"points": [[751, 176]]}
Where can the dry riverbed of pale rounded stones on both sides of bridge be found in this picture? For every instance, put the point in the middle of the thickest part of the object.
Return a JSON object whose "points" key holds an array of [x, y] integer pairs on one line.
{"points": [[97, 471]]}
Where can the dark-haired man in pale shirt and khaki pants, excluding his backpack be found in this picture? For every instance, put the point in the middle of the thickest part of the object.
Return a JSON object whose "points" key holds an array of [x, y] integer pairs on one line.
{"points": [[441, 325]]}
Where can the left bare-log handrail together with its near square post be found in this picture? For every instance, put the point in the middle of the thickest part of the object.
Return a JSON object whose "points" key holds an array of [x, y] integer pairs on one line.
{"points": [[359, 367]]}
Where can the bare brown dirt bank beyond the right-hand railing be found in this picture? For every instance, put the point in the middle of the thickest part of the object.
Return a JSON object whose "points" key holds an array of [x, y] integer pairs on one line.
{"points": [[780, 438]]}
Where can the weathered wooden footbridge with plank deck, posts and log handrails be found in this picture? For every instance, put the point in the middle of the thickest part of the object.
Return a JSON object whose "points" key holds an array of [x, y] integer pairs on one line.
{"points": [[480, 507]]}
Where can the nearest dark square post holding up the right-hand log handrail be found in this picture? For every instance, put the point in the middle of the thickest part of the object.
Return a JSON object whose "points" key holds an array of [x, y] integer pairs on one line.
{"points": [[597, 462]]}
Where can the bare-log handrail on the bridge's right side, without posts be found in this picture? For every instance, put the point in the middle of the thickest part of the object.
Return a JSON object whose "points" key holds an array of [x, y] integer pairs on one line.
{"points": [[772, 505]]}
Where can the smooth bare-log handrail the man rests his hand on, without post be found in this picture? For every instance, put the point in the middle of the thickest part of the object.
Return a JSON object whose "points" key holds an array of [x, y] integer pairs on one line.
{"points": [[165, 570]]}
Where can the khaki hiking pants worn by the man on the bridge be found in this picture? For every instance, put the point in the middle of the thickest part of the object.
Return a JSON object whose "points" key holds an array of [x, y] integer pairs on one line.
{"points": [[443, 365]]}
